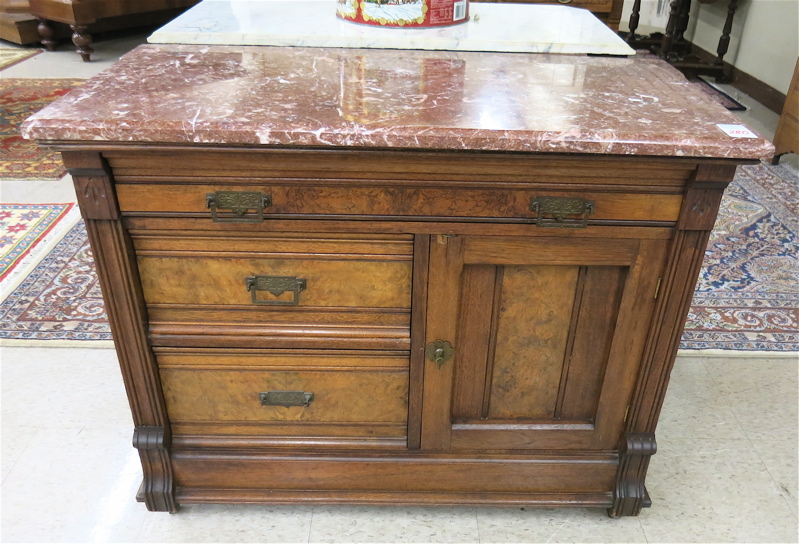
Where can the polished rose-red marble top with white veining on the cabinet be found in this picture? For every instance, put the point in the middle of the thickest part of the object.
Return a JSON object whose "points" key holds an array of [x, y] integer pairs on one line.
{"points": [[377, 98]]}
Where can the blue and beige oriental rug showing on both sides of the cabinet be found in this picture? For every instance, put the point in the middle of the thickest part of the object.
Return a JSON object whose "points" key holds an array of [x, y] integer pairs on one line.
{"points": [[746, 298]]}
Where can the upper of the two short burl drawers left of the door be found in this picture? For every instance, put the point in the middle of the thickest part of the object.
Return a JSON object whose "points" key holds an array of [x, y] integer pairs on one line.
{"points": [[319, 290]]}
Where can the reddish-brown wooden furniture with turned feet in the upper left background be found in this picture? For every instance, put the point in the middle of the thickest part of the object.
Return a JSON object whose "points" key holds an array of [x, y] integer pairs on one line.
{"points": [[86, 16]]}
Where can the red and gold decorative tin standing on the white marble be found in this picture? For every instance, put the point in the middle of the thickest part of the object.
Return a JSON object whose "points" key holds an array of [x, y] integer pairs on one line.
{"points": [[404, 13]]}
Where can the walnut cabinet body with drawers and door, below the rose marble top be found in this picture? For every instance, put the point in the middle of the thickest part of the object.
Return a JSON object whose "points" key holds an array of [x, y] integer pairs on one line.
{"points": [[287, 351]]}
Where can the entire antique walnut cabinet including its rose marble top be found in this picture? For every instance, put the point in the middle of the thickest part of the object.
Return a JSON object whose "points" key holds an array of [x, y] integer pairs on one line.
{"points": [[394, 277]]}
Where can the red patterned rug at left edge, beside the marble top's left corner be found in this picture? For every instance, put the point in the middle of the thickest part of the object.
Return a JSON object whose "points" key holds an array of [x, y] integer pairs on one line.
{"points": [[19, 99]]}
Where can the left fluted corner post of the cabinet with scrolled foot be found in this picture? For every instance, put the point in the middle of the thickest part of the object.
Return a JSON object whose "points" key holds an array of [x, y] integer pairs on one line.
{"points": [[118, 273]]}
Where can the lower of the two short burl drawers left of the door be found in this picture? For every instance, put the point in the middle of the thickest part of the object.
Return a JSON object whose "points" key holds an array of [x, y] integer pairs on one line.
{"points": [[214, 397]]}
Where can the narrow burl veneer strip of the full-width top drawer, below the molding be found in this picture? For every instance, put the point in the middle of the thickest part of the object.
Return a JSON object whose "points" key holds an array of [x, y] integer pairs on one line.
{"points": [[301, 200]]}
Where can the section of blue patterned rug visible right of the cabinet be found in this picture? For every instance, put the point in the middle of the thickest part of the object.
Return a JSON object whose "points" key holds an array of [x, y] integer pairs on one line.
{"points": [[747, 297]]}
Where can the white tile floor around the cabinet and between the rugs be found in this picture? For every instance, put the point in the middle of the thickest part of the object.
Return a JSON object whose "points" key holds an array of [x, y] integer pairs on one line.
{"points": [[726, 469]]}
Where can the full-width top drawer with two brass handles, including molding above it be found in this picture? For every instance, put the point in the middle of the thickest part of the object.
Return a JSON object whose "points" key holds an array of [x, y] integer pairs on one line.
{"points": [[381, 185]]}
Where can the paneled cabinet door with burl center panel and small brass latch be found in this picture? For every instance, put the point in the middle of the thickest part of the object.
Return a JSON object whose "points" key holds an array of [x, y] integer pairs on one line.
{"points": [[547, 333]]}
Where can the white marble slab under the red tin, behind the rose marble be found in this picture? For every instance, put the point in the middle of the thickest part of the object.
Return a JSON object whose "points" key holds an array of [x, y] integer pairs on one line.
{"points": [[515, 28]]}
